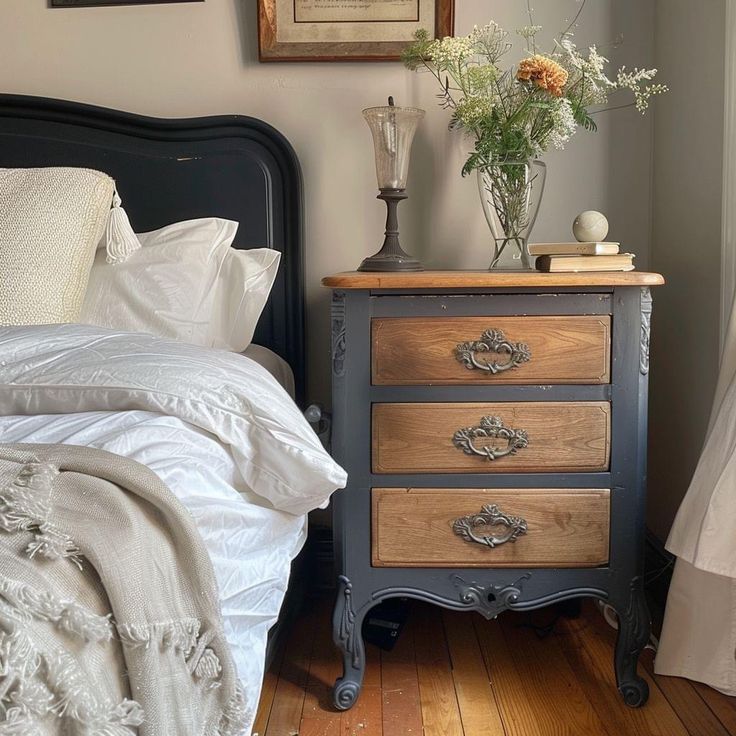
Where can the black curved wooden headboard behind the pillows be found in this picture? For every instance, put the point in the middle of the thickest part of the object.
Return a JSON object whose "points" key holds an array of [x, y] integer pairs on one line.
{"points": [[169, 170]]}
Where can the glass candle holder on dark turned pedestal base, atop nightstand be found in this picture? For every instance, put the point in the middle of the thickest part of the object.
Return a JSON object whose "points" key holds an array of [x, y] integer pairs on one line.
{"points": [[393, 131]]}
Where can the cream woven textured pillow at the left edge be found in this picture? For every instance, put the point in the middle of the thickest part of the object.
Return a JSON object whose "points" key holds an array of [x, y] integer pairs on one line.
{"points": [[51, 221]]}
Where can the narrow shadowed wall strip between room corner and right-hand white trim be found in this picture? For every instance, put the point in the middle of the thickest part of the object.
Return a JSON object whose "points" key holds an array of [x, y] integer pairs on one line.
{"points": [[686, 247]]}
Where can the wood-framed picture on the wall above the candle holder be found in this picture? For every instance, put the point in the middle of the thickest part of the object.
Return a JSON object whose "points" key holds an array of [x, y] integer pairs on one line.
{"points": [[346, 30]]}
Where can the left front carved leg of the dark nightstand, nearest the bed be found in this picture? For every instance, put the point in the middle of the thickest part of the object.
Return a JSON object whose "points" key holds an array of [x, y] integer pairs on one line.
{"points": [[347, 633]]}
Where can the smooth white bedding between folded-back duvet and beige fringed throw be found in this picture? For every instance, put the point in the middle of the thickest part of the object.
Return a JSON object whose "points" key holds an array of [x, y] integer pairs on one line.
{"points": [[251, 545]]}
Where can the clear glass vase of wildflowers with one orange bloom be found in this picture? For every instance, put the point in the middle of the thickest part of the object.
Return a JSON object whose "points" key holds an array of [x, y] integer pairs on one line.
{"points": [[516, 114]]}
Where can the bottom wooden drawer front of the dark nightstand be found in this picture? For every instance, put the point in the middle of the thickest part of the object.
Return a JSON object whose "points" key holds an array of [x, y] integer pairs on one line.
{"points": [[436, 528]]}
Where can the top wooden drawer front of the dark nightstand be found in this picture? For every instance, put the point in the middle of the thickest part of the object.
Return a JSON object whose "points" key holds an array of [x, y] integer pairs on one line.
{"points": [[553, 350]]}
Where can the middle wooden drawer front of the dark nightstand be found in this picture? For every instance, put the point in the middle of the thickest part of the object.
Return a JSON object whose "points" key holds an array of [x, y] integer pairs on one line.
{"points": [[546, 437]]}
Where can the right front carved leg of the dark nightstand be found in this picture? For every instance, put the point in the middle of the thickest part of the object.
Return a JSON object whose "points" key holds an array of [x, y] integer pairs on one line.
{"points": [[634, 626]]}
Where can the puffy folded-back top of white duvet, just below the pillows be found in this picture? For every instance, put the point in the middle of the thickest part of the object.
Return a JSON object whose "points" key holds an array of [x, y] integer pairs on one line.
{"points": [[61, 369]]}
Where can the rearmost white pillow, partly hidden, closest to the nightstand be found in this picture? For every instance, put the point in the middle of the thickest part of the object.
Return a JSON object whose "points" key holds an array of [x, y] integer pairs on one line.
{"points": [[241, 292]]}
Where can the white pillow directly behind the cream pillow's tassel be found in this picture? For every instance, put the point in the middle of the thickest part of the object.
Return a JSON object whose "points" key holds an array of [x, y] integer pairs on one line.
{"points": [[165, 288]]}
